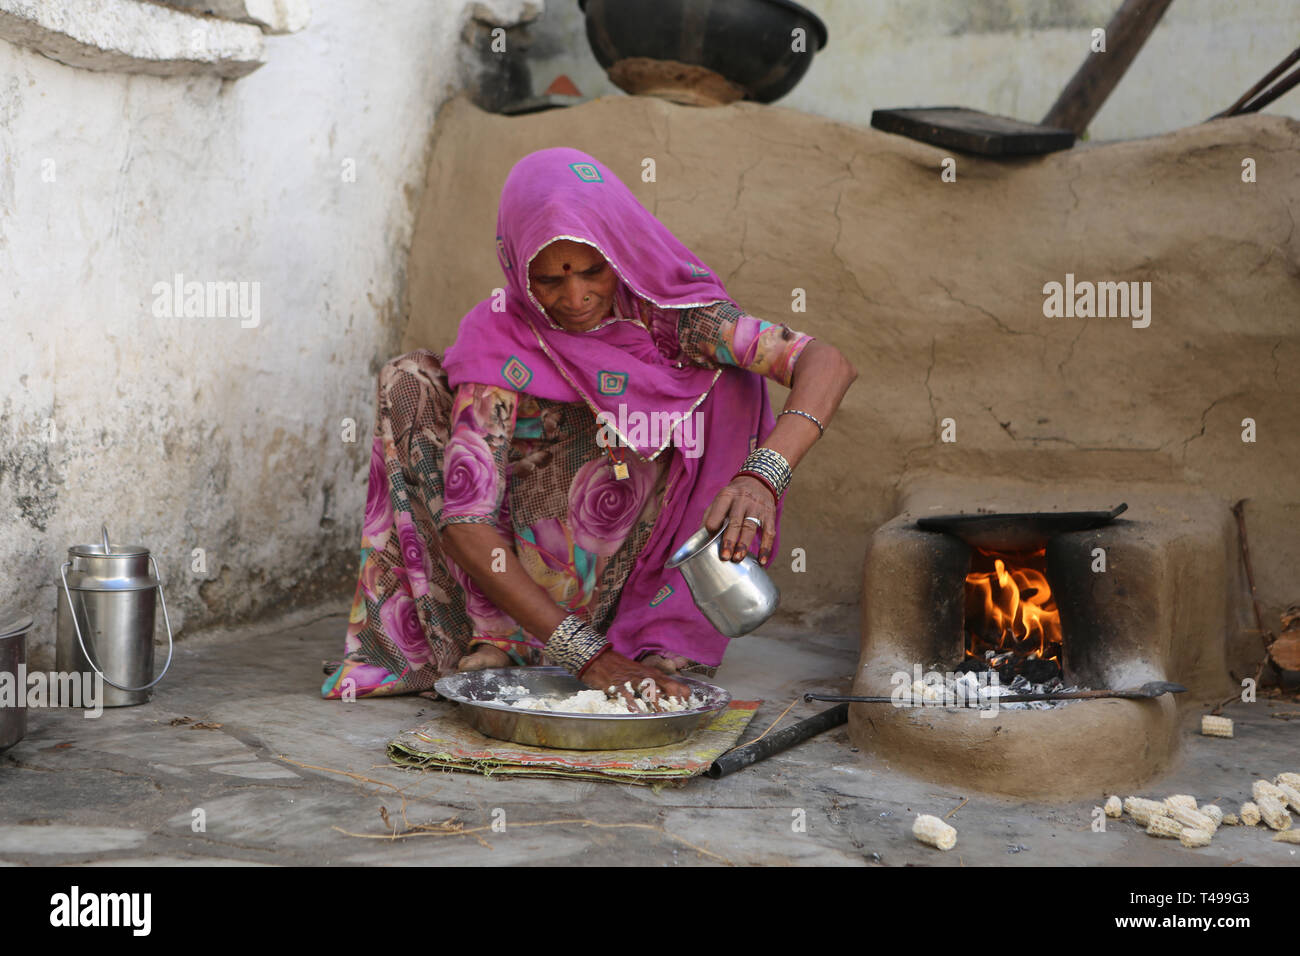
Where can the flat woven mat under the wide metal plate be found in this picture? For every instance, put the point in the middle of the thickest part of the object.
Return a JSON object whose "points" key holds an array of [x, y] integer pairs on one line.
{"points": [[449, 743]]}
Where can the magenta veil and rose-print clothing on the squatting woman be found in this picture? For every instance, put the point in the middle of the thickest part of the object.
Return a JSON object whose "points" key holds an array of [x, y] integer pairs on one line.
{"points": [[415, 613]]}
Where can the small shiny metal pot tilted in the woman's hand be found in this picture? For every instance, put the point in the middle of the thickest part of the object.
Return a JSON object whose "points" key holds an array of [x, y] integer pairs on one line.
{"points": [[735, 596]]}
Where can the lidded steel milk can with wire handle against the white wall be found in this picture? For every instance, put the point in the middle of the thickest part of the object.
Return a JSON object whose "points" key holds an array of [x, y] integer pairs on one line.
{"points": [[106, 620]]}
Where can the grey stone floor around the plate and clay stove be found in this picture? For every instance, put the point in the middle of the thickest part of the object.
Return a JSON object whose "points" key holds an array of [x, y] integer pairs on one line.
{"points": [[127, 788]]}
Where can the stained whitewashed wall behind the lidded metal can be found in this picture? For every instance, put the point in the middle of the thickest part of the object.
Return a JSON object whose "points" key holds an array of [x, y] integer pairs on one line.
{"points": [[187, 434]]}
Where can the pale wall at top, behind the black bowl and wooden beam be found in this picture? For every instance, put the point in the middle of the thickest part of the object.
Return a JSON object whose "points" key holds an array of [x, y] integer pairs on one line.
{"points": [[1003, 57]]}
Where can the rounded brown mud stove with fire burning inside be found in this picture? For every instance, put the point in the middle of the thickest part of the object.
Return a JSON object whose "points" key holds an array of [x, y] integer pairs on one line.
{"points": [[1134, 599]]}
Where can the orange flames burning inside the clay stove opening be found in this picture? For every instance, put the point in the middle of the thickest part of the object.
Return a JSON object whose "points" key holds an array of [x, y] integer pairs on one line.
{"points": [[1012, 620]]}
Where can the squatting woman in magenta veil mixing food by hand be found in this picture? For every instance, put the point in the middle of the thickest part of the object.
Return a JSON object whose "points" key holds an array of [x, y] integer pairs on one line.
{"points": [[527, 490]]}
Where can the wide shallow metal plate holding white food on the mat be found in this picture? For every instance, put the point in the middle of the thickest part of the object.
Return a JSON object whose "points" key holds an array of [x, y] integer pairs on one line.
{"points": [[480, 694]]}
